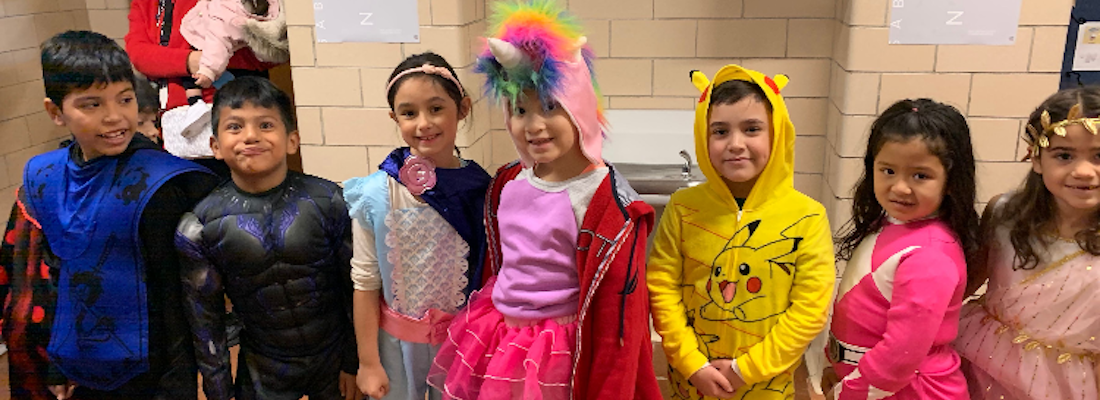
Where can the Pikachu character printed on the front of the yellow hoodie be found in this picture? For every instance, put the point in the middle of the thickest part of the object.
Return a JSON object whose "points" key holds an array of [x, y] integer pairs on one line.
{"points": [[743, 276]]}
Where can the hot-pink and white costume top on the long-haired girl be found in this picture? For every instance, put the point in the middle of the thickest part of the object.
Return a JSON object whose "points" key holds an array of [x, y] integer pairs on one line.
{"points": [[897, 315]]}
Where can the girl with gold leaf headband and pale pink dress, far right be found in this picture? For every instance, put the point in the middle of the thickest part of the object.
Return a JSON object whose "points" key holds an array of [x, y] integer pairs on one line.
{"points": [[1033, 336]]}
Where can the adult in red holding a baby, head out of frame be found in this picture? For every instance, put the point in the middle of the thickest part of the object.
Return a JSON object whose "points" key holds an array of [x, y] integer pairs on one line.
{"points": [[160, 52]]}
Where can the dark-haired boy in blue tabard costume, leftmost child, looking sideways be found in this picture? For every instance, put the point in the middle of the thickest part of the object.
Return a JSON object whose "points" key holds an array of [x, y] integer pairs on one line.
{"points": [[107, 205]]}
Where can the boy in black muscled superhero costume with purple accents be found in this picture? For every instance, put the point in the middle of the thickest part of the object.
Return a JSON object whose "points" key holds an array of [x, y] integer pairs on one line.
{"points": [[279, 245]]}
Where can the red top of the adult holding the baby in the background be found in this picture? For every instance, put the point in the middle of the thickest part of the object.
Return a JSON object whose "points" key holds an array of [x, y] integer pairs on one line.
{"points": [[157, 62]]}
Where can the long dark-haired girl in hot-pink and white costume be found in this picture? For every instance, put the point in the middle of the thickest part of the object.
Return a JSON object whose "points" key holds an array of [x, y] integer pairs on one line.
{"points": [[914, 226]]}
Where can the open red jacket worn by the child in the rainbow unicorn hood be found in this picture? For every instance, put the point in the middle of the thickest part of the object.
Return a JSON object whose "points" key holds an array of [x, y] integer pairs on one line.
{"points": [[615, 355]]}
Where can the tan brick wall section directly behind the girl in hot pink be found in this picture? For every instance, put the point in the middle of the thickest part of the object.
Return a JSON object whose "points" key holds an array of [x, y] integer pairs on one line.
{"points": [[996, 87]]}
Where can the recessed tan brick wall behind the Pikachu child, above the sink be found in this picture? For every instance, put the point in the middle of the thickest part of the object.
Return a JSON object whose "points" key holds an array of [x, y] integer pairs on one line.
{"points": [[653, 45]]}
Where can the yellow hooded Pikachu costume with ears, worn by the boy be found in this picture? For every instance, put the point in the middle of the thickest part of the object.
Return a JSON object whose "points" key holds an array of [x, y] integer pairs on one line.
{"points": [[750, 284]]}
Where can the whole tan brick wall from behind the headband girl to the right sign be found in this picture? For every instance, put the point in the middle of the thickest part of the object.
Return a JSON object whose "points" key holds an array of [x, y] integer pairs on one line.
{"points": [[842, 71]]}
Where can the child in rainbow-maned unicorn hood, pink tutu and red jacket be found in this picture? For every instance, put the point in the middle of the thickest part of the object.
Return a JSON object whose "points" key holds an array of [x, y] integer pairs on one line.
{"points": [[565, 309]]}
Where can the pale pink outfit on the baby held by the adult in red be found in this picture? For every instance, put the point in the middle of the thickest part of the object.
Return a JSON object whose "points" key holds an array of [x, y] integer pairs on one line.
{"points": [[217, 28]]}
